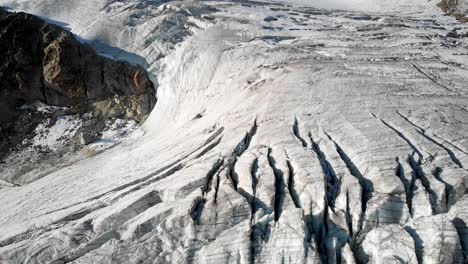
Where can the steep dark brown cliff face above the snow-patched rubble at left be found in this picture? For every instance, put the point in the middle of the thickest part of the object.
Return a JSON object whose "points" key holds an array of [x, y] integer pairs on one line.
{"points": [[42, 62]]}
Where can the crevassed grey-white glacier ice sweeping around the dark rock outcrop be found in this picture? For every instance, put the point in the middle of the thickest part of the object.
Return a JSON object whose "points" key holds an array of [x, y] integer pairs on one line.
{"points": [[282, 134]]}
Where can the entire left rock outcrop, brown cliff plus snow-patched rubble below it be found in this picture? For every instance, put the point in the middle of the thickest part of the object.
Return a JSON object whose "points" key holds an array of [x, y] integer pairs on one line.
{"points": [[51, 80]]}
